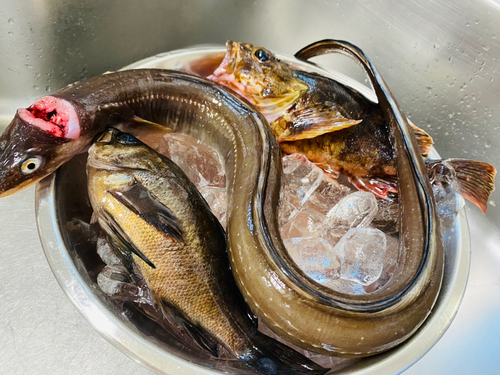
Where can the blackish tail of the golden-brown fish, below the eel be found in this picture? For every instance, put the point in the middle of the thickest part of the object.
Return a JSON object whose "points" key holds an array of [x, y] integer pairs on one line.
{"points": [[271, 357]]}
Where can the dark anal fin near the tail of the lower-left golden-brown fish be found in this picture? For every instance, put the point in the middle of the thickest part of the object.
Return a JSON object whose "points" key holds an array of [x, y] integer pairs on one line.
{"points": [[197, 333]]}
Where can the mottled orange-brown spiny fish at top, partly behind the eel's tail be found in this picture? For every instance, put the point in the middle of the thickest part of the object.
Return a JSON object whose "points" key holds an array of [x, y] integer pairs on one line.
{"points": [[332, 124]]}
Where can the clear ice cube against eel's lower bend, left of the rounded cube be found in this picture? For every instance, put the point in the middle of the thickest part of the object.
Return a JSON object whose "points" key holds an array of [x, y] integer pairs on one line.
{"points": [[315, 257]]}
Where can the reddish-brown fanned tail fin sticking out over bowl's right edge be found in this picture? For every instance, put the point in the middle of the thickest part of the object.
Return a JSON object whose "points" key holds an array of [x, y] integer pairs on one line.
{"points": [[475, 180]]}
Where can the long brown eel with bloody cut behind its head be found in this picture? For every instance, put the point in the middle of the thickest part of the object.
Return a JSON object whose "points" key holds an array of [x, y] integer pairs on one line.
{"points": [[57, 127]]}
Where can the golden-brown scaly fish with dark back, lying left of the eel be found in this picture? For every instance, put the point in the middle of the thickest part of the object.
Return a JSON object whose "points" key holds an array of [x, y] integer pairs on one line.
{"points": [[154, 216]]}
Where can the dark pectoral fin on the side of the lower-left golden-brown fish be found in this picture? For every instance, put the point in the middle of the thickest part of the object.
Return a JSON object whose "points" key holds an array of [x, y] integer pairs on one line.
{"points": [[139, 200]]}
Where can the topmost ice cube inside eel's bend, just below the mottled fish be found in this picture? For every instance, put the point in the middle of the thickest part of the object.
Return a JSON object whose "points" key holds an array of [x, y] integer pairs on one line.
{"points": [[301, 179]]}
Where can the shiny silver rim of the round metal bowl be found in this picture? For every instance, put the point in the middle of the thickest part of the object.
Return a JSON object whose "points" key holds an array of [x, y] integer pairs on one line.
{"points": [[129, 342]]}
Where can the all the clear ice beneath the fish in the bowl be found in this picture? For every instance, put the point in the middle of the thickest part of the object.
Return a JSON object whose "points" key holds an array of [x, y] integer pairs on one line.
{"points": [[340, 237]]}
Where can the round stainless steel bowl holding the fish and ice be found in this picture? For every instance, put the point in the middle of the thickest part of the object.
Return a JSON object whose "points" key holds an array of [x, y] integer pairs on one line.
{"points": [[61, 201]]}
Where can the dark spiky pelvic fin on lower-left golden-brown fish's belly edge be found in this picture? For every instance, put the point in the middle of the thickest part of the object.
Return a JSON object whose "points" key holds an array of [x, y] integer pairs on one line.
{"points": [[120, 241]]}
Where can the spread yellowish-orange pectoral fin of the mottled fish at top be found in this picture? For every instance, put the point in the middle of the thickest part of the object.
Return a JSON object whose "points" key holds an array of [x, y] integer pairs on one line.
{"points": [[313, 121]]}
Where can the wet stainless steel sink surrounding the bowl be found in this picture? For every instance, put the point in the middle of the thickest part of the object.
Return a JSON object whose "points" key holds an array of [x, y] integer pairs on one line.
{"points": [[440, 60]]}
